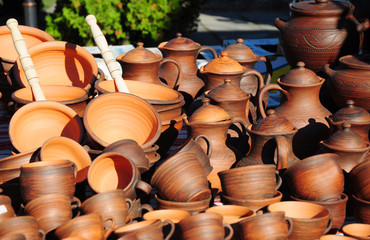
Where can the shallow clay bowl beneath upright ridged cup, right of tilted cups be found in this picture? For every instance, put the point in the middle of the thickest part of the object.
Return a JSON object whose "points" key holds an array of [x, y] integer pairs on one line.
{"points": [[253, 204]]}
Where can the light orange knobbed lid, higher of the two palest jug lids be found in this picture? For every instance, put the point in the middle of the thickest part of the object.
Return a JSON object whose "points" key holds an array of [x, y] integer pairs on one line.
{"points": [[224, 65]]}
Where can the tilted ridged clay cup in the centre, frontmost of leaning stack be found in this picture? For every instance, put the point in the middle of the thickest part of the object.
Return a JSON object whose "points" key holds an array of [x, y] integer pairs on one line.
{"points": [[181, 178]]}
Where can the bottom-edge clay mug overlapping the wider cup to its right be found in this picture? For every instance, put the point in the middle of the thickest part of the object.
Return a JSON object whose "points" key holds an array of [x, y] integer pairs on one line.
{"points": [[271, 225]]}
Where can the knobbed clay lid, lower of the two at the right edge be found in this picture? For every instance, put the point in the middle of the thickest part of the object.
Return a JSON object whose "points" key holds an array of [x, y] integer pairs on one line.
{"points": [[346, 138]]}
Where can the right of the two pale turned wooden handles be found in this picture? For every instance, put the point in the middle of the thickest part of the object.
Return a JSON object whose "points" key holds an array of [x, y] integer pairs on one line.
{"points": [[110, 61]]}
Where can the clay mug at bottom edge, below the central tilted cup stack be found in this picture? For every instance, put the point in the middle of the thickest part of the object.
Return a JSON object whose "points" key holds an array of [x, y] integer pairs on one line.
{"points": [[207, 225]]}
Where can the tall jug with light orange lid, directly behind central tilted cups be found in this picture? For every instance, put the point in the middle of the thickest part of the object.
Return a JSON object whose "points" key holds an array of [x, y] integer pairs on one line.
{"points": [[213, 122]]}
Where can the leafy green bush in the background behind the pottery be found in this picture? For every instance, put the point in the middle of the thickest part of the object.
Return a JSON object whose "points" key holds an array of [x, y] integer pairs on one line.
{"points": [[124, 21]]}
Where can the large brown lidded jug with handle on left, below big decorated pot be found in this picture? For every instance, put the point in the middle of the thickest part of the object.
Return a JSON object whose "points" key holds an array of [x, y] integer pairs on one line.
{"points": [[302, 107]]}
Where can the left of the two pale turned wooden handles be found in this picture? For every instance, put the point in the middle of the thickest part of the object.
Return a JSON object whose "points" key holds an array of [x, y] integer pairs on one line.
{"points": [[26, 60]]}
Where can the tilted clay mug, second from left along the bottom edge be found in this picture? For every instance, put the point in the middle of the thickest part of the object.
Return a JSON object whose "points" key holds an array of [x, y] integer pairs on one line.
{"points": [[90, 226]]}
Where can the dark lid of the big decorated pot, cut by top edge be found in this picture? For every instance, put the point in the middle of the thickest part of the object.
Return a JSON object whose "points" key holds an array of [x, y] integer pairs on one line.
{"points": [[321, 7]]}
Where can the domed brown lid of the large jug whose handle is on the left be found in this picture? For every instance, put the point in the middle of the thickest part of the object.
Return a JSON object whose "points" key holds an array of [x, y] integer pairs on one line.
{"points": [[300, 76]]}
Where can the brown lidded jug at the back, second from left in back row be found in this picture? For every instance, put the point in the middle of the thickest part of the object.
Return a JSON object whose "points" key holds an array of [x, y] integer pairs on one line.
{"points": [[185, 51]]}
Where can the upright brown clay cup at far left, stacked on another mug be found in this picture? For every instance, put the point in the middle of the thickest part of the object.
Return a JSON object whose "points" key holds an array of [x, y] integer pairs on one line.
{"points": [[46, 177]]}
